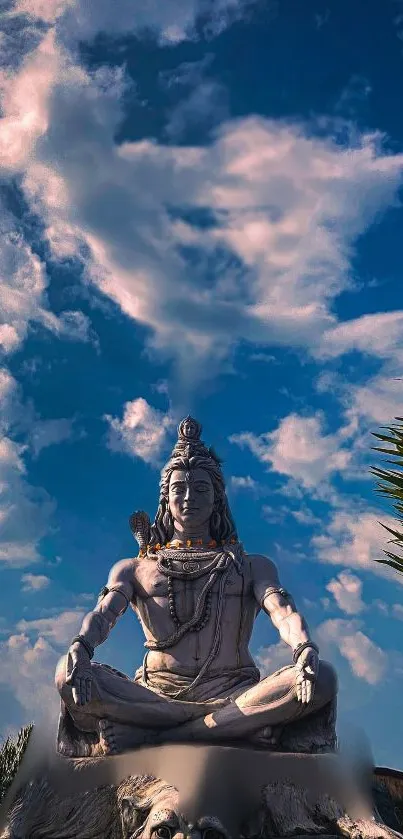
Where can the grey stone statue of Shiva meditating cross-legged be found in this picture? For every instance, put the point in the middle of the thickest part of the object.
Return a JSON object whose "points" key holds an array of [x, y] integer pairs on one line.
{"points": [[197, 594]]}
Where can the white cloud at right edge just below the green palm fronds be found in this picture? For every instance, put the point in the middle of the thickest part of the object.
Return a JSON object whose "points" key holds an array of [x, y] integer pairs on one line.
{"points": [[355, 539]]}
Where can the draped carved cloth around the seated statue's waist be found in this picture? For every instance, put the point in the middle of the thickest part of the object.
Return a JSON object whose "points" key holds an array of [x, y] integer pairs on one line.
{"points": [[220, 685]]}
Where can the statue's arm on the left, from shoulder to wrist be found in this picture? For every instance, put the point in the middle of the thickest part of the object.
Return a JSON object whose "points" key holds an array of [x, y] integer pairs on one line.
{"points": [[112, 603]]}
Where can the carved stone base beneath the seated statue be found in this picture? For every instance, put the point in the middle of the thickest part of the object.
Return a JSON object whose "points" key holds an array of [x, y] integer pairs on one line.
{"points": [[237, 792]]}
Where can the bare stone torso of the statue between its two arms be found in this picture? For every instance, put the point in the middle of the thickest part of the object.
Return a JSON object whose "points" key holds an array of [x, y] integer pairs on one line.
{"points": [[186, 656]]}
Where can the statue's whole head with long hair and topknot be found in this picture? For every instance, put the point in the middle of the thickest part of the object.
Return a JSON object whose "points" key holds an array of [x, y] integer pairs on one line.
{"points": [[192, 490]]}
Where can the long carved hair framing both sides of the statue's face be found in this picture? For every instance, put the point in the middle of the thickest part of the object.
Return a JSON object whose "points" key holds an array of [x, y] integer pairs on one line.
{"points": [[222, 527]]}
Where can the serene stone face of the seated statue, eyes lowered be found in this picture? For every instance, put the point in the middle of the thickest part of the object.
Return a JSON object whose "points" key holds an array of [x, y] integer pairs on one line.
{"points": [[191, 497]]}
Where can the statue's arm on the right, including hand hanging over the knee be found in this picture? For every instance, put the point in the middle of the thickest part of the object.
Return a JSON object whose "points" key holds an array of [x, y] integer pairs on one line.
{"points": [[292, 627]]}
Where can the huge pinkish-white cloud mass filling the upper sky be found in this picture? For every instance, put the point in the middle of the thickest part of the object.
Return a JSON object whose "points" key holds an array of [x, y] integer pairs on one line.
{"points": [[286, 203]]}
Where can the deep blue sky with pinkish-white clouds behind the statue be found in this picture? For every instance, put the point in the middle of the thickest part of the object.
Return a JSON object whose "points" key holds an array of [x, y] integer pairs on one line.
{"points": [[201, 212]]}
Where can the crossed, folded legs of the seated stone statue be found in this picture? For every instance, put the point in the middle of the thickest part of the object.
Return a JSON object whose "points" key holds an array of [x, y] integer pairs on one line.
{"points": [[127, 713]]}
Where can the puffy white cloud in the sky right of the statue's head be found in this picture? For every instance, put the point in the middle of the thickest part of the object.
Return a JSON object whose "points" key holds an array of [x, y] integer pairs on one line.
{"points": [[298, 448]]}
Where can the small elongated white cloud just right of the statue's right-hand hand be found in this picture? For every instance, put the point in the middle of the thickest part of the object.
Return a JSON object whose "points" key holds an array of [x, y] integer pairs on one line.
{"points": [[367, 661]]}
